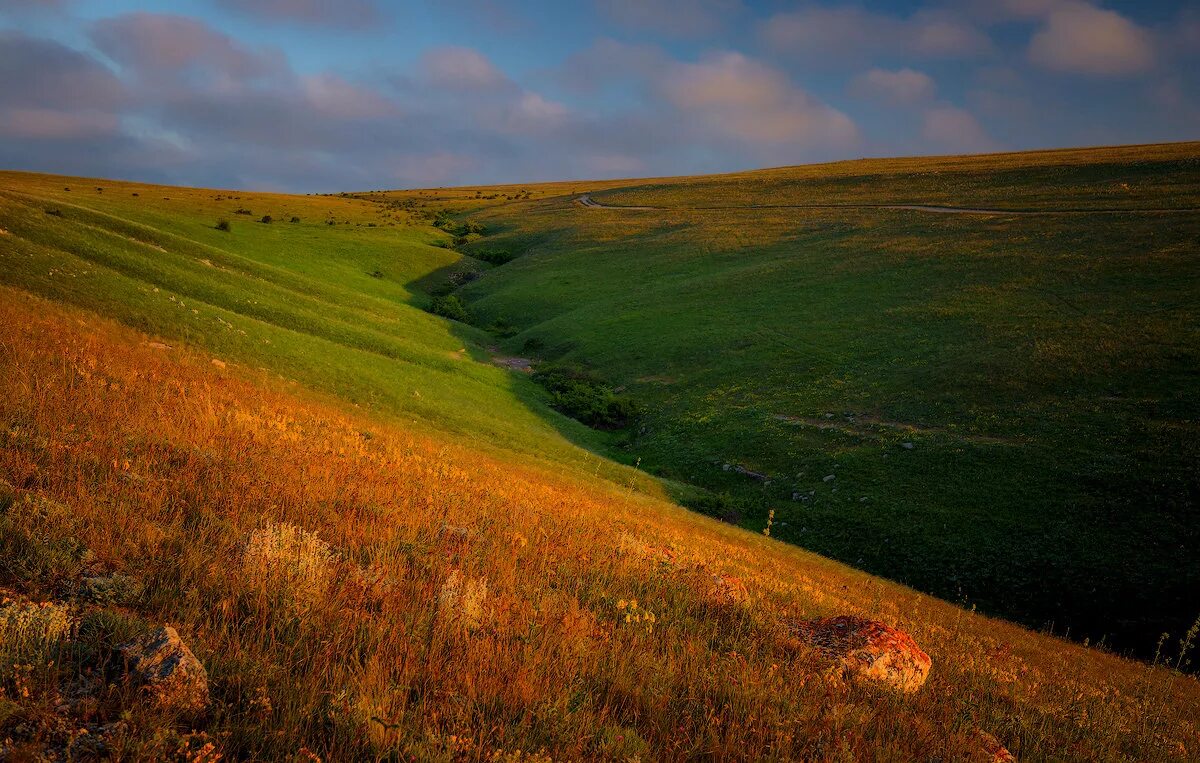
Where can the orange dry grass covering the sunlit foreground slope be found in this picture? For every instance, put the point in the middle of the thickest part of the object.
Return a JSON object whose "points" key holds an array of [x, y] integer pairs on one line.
{"points": [[469, 608]]}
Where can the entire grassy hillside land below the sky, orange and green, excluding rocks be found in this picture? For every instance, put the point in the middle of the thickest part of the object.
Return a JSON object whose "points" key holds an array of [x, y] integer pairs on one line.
{"points": [[383, 546]]}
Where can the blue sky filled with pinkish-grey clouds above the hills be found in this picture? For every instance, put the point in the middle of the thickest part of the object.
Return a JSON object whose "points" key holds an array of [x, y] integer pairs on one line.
{"points": [[333, 95]]}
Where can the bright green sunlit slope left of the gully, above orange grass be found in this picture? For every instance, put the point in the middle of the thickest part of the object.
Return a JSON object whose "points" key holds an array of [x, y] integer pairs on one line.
{"points": [[332, 308]]}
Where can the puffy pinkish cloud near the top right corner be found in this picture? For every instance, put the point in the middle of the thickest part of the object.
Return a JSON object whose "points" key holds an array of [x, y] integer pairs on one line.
{"points": [[1083, 39]]}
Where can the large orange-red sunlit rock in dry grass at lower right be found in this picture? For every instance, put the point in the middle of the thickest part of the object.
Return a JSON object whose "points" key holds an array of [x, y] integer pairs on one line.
{"points": [[869, 650]]}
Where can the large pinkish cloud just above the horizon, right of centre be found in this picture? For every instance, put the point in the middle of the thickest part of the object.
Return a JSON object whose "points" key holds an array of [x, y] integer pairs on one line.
{"points": [[741, 99]]}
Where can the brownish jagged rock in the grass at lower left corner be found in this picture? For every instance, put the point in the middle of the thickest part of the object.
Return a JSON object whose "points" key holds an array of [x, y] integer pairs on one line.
{"points": [[169, 670]]}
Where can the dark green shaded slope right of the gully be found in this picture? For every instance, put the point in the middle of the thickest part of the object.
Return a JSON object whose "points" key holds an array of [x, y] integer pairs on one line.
{"points": [[1043, 368]]}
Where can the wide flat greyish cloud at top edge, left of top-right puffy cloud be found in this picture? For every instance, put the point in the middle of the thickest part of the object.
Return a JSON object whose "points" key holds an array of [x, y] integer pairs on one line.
{"points": [[838, 34]]}
